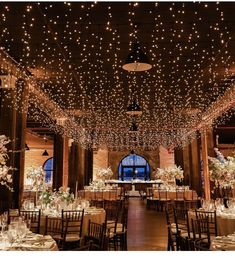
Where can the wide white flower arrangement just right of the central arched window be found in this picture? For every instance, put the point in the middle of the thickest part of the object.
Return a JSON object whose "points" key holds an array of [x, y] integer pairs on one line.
{"points": [[170, 173]]}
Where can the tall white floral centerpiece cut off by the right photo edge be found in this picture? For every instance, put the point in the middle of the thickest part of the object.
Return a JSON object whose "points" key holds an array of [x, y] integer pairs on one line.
{"points": [[222, 170]]}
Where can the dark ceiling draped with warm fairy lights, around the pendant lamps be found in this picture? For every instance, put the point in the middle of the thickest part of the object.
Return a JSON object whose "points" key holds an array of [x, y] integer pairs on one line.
{"points": [[75, 52]]}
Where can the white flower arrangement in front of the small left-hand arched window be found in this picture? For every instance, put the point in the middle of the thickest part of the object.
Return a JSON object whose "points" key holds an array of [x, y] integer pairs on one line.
{"points": [[36, 178]]}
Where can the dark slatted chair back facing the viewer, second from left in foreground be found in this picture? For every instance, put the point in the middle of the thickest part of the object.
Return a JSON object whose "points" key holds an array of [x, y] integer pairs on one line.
{"points": [[75, 221]]}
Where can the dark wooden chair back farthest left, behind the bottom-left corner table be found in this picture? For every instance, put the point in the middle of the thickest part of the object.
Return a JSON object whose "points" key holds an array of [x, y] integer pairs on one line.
{"points": [[34, 217]]}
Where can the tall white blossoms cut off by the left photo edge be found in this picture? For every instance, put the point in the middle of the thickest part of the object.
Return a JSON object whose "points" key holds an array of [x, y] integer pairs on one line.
{"points": [[5, 171]]}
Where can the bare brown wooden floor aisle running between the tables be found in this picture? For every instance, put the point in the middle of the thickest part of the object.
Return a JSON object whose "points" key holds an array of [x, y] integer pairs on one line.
{"points": [[146, 228]]}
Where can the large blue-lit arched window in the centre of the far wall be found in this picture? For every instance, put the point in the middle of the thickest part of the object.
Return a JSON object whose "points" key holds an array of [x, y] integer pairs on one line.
{"points": [[134, 166]]}
